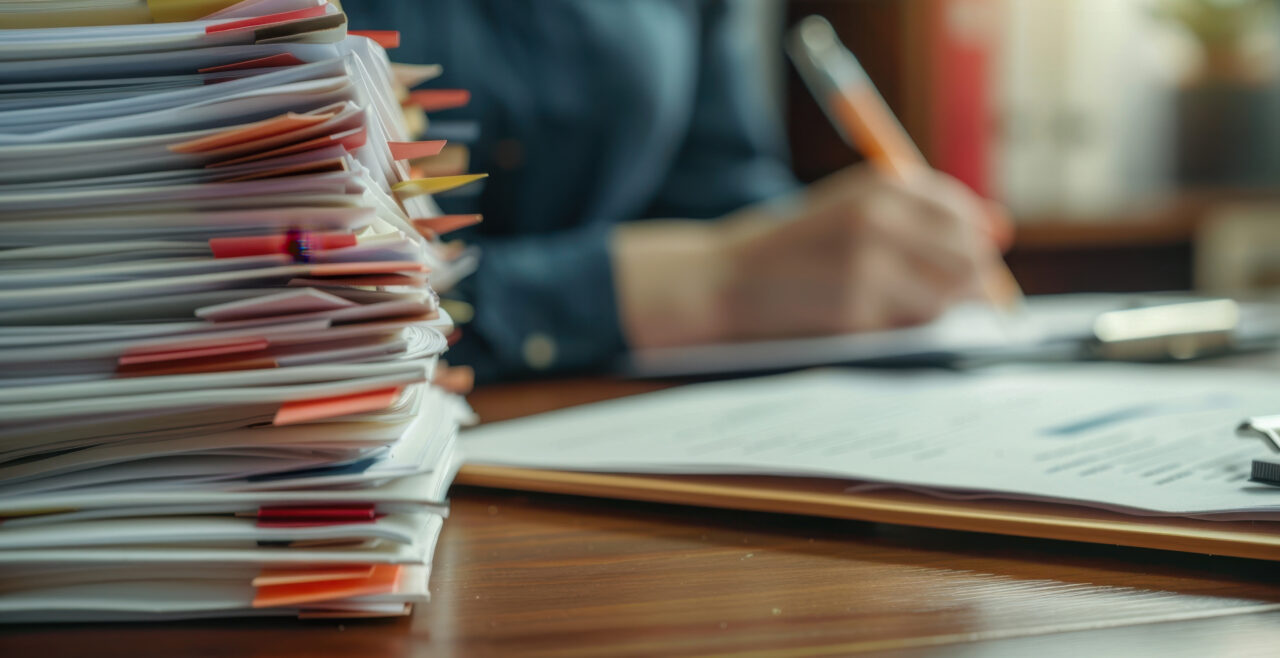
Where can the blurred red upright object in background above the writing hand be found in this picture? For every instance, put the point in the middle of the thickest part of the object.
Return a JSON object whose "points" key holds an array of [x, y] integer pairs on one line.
{"points": [[961, 36]]}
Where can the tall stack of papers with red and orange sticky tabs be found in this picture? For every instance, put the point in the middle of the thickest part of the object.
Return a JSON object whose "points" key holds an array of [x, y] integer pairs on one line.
{"points": [[220, 341]]}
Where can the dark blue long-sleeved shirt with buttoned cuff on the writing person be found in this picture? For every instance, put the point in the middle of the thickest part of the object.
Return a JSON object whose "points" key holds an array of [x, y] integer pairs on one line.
{"points": [[591, 113]]}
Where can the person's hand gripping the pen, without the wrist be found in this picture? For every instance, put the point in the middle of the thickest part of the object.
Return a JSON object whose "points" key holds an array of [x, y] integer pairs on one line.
{"points": [[862, 253]]}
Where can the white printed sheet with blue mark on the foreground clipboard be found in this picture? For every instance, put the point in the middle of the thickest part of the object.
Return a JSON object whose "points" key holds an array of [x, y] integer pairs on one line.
{"points": [[1139, 440]]}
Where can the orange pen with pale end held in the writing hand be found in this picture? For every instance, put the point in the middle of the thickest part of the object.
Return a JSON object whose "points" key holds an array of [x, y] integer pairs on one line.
{"points": [[865, 121]]}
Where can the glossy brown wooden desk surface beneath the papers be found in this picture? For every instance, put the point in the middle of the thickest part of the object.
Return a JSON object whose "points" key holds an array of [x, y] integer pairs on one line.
{"points": [[546, 575]]}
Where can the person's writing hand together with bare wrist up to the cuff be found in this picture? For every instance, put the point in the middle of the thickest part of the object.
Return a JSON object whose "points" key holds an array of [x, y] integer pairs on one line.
{"points": [[856, 253]]}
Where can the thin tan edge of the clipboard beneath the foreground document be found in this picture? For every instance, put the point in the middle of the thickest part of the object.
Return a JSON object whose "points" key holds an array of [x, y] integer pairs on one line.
{"points": [[829, 499]]}
